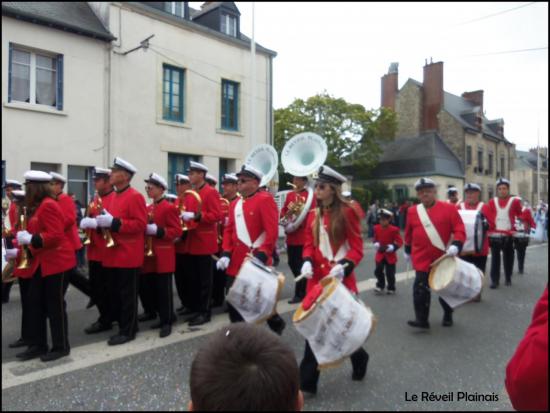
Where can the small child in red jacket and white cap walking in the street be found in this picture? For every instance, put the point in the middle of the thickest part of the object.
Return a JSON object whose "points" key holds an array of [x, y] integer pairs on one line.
{"points": [[387, 241]]}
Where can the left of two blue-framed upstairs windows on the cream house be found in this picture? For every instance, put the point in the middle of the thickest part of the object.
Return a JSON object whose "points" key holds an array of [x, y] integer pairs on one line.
{"points": [[172, 93]]}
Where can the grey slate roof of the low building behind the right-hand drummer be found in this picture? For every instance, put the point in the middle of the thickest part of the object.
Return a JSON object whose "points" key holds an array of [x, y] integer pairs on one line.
{"points": [[423, 155]]}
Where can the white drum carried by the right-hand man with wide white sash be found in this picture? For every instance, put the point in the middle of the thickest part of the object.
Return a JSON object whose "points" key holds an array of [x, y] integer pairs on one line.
{"points": [[455, 280]]}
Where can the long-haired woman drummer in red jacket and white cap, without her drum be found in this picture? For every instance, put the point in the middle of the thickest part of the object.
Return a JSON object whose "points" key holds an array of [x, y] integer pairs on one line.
{"points": [[341, 224]]}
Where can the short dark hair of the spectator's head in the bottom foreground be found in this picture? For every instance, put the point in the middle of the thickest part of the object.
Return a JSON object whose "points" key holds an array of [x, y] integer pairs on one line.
{"points": [[245, 367]]}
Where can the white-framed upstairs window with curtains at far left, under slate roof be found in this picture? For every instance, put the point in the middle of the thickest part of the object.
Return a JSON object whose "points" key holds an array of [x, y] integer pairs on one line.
{"points": [[35, 77]]}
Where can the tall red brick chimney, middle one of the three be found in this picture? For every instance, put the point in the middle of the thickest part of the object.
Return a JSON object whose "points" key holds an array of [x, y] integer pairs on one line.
{"points": [[433, 94]]}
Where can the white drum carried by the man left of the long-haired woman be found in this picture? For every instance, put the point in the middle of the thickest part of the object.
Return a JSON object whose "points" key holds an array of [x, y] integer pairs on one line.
{"points": [[256, 290]]}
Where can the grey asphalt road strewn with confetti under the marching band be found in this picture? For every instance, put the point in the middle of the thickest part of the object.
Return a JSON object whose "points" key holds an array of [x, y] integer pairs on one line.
{"points": [[152, 374]]}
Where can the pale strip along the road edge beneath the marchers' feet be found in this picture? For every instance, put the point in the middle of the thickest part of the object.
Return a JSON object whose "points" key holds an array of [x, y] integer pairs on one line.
{"points": [[15, 373]]}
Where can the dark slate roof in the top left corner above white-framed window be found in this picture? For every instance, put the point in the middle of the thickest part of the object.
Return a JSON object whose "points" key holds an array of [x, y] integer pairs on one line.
{"points": [[75, 17]]}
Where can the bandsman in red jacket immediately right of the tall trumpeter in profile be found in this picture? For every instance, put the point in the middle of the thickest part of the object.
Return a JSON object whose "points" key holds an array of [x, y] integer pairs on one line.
{"points": [[164, 229]]}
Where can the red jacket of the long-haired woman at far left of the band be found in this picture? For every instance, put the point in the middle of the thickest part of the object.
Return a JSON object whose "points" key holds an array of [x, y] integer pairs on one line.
{"points": [[56, 254]]}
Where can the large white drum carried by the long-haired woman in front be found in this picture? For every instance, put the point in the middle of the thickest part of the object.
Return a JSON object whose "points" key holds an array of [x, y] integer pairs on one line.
{"points": [[336, 325]]}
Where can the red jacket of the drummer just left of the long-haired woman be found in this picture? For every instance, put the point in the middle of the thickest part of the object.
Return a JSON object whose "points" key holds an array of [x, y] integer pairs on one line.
{"points": [[260, 215]]}
